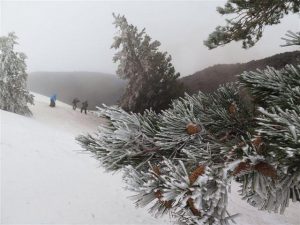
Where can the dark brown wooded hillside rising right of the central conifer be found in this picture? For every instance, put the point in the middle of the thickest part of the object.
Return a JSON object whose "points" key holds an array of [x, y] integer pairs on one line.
{"points": [[210, 78]]}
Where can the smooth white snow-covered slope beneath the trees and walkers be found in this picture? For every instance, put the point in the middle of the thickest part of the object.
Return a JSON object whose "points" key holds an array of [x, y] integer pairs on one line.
{"points": [[47, 179]]}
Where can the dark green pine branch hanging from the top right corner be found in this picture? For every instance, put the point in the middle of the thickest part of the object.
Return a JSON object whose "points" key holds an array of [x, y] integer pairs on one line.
{"points": [[248, 20]]}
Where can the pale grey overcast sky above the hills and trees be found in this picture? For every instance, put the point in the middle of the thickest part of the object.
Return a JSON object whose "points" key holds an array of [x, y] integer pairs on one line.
{"points": [[77, 35]]}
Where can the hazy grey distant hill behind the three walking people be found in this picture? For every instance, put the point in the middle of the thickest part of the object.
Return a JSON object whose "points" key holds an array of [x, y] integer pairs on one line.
{"points": [[97, 88]]}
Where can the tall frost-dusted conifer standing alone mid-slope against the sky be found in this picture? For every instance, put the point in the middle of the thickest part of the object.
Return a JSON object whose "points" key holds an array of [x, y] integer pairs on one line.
{"points": [[152, 80]]}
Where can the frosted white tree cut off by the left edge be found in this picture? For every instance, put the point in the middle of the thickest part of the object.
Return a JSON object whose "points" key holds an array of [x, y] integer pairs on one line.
{"points": [[14, 95]]}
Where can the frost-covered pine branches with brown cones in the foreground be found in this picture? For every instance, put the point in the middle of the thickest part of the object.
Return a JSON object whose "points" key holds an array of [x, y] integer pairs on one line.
{"points": [[183, 160]]}
